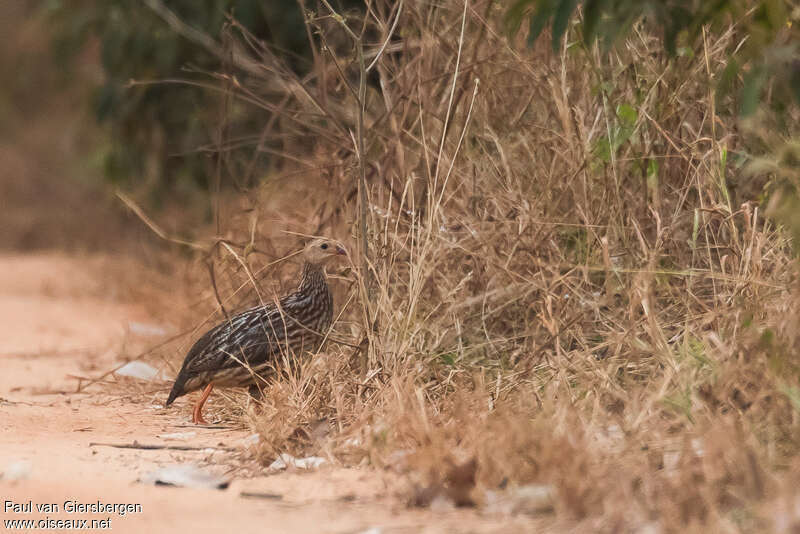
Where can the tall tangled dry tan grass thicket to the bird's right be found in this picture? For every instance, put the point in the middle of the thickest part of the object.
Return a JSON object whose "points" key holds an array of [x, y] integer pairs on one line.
{"points": [[566, 286]]}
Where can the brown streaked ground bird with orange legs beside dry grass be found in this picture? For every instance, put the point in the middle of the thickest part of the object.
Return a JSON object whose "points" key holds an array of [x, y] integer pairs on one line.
{"points": [[236, 352]]}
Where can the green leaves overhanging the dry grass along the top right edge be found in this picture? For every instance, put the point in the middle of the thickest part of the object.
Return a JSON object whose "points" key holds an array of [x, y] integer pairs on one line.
{"points": [[765, 54]]}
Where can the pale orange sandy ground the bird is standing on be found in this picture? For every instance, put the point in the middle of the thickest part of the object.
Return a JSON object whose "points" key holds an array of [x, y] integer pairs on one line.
{"points": [[57, 323]]}
